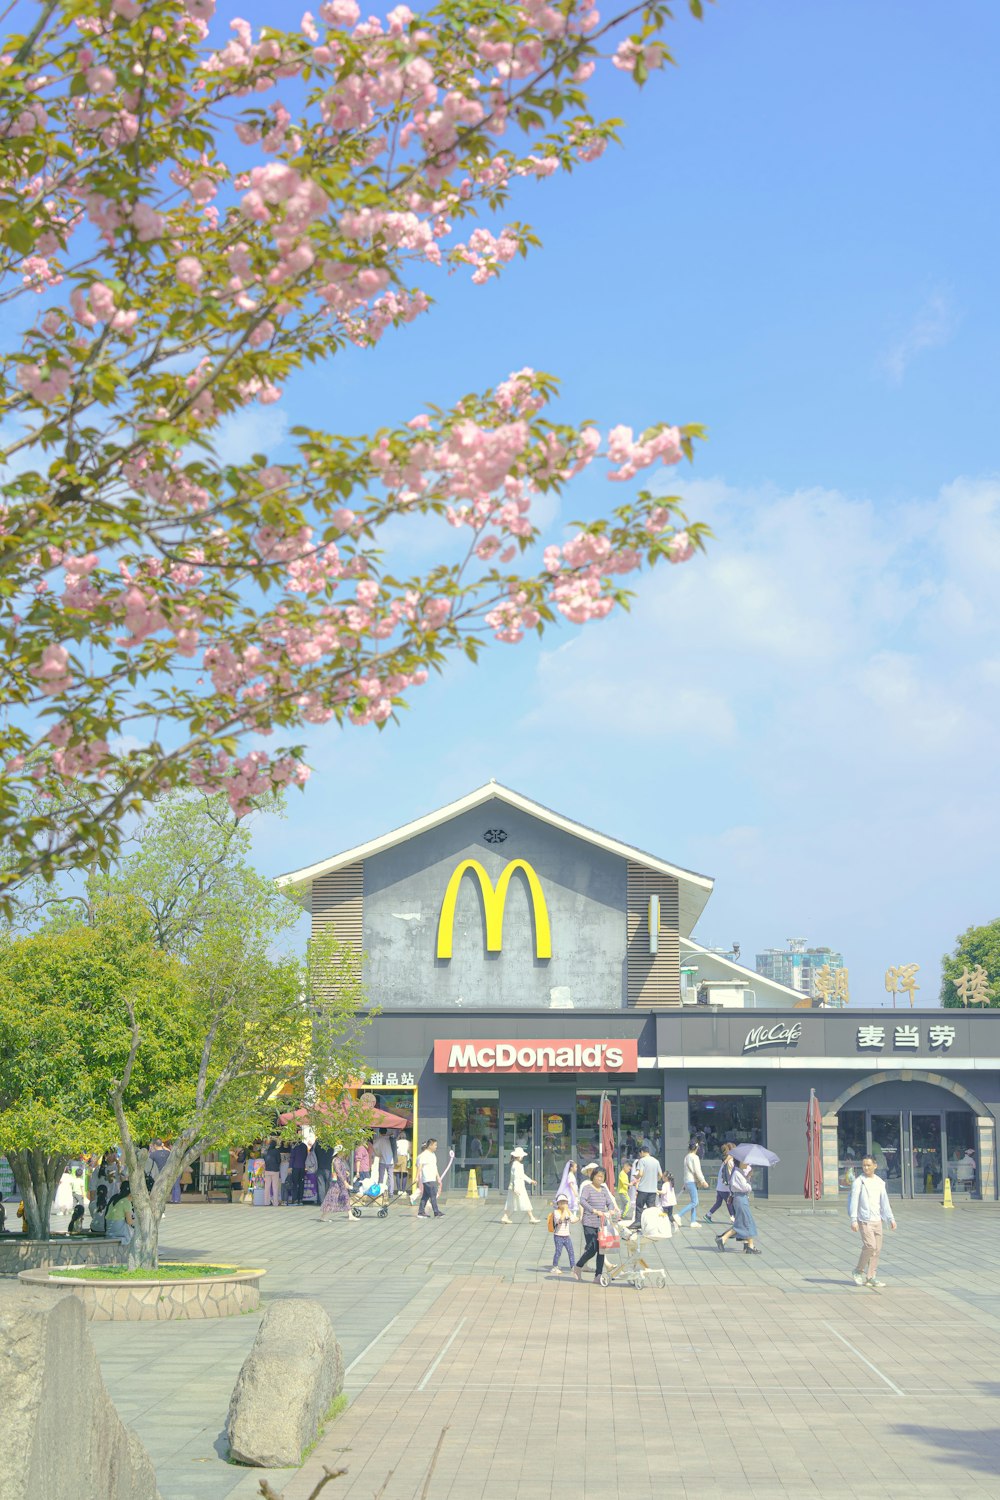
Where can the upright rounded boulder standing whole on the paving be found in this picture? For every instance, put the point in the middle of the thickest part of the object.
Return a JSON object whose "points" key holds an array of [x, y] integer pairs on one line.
{"points": [[289, 1382]]}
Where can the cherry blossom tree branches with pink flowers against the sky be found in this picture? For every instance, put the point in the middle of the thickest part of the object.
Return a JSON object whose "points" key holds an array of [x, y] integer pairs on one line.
{"points": [[185, 223]]}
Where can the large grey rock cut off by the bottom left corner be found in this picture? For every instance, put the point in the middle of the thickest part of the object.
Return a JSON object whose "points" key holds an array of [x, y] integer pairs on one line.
{"points": [[62, 1436]]}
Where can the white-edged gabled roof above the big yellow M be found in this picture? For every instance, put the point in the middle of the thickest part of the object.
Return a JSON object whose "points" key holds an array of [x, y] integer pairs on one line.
{"points": [[693, 890]]}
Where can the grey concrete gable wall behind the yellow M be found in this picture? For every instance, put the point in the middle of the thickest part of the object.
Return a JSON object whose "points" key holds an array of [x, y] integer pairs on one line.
{"points": [[585, 893]]}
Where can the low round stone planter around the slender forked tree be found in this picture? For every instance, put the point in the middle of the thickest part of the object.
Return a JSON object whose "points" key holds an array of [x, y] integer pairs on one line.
{"points": [[154, 1301]]}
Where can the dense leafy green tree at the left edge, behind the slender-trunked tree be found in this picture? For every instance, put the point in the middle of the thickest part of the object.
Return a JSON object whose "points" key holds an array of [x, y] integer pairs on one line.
{"points": [[64, 1036]]}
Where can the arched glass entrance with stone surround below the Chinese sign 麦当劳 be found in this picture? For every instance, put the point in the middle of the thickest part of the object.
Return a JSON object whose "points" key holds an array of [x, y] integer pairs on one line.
{"points": [[921, 1130]]}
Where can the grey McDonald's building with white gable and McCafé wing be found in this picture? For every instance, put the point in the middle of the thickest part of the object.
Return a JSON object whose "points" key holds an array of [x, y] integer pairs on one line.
{"points": [[522, 965]]}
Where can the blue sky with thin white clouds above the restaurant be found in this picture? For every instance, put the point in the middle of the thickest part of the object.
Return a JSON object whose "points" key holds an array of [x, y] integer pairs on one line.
{"points": [[797, 245]]}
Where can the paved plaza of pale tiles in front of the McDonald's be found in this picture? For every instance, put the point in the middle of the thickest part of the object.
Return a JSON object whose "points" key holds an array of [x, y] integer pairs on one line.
{"points": [[473, 1375]]}
